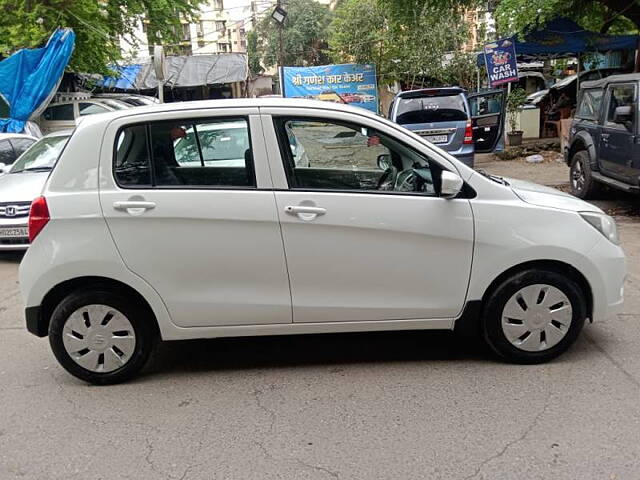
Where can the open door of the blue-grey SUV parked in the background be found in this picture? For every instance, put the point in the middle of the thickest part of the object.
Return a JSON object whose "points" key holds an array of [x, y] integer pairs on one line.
{"points": [[487, 118]]}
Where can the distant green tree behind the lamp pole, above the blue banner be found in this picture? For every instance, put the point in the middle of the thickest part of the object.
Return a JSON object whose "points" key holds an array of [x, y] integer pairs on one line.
{"points": [[304, 35]]}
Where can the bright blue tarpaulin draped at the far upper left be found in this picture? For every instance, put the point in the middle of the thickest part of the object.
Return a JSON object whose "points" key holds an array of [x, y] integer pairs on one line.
{"points": [[29, 77]]}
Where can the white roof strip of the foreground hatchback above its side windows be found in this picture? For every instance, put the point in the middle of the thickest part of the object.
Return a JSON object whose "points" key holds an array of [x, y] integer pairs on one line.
{"points": [[225, 103]]}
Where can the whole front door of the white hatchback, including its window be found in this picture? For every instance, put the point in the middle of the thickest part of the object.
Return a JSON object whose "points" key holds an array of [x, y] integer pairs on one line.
{"points": [[366, 236]]}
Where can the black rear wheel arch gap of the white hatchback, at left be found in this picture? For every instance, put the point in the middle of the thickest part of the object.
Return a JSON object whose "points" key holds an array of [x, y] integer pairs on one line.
{"points": [[56, 294]]}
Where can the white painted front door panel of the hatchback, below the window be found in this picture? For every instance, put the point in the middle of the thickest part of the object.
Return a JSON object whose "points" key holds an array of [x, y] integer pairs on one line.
{"points": [[376, 256]]}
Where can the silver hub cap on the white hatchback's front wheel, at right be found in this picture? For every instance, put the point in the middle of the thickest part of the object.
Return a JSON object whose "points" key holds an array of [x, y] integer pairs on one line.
{"points": [[536, 317]]}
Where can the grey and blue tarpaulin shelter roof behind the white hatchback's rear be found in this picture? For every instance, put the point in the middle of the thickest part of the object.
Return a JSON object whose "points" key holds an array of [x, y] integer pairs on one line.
{"points": [[182, 71]]}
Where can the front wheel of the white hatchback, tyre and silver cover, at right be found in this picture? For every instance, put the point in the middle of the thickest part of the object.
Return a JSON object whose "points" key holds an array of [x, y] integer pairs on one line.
{"points": [[534, 316]]}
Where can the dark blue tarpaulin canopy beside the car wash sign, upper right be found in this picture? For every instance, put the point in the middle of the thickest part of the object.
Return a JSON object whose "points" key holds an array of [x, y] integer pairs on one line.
{"points": [[563, 37]]}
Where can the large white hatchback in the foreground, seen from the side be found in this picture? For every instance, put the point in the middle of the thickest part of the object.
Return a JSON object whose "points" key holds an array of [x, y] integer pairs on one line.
{"points": [[384, 231]]}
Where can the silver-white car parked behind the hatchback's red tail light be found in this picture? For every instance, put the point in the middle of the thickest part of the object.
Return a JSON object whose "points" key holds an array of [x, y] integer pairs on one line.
{"points": [[21, 185]]}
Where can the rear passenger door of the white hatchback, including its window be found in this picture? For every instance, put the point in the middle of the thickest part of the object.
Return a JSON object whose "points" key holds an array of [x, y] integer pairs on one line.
{"points": [[205, 239]]}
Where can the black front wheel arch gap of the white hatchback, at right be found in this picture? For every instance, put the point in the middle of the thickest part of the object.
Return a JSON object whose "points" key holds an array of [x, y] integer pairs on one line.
{"points": [[470, 322]]}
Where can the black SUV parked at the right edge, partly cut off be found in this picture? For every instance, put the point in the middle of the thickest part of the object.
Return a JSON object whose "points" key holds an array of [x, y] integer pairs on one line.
{"points": [[604, 141]]}
